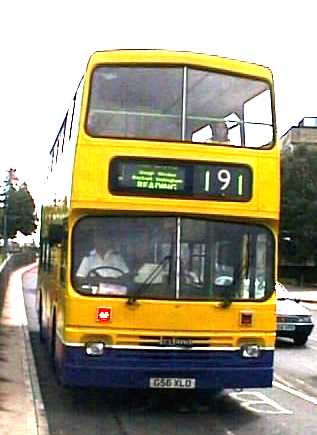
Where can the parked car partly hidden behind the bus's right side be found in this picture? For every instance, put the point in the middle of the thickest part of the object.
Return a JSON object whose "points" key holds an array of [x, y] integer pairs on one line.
{"points": [[293, 319]]}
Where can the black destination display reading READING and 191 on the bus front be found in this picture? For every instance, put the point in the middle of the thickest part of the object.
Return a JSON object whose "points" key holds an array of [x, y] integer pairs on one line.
{"points": [[222, 181]]}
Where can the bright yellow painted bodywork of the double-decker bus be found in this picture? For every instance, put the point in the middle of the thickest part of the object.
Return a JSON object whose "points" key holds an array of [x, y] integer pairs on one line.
{"points": [[209, 323]]}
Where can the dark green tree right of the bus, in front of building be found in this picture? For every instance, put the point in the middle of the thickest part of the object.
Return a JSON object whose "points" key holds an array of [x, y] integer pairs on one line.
{"points": [[299, 205]]}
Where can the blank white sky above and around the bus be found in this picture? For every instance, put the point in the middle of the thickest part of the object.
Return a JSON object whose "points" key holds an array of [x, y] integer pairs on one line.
{"points": [[45, 46]]}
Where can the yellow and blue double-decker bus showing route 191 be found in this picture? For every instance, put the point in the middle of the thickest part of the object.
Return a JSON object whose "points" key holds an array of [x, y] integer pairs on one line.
{"points": [[159, 229]]}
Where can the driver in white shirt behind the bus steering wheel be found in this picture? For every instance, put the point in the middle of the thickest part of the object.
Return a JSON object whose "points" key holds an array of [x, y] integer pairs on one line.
{"points": [[103, 255]]}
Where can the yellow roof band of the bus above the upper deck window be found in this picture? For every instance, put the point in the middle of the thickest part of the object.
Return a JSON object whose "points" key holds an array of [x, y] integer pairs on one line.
{"points": [[179, 58]]}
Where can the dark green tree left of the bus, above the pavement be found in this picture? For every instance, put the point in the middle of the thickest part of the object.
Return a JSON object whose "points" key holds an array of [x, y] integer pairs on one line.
{"points": [[18, 213]]}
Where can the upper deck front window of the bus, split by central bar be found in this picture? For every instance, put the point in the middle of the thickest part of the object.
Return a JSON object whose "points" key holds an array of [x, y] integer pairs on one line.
{"points": [[179, 104]]}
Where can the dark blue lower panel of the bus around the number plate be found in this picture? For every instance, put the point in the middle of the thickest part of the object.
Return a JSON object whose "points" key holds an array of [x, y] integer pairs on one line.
{"points": [[133, 369]]}
